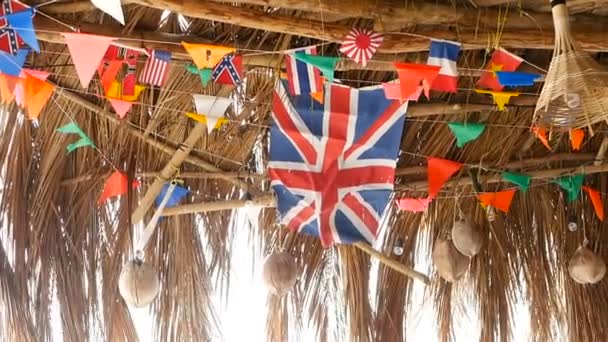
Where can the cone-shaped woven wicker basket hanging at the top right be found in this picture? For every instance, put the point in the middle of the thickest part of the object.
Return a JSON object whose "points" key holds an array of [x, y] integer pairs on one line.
{"points": [[575, 93]]}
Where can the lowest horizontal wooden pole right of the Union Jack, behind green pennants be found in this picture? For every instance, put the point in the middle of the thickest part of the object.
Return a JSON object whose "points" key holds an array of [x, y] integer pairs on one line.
{"points": [[497, 178]]}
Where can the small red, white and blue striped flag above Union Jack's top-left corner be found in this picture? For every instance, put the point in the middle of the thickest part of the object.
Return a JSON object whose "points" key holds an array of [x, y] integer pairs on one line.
{"points": [[302, 78]]}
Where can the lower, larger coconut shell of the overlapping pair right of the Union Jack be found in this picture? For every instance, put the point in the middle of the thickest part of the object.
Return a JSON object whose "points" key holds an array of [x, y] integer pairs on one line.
{"points": [[449, 262]]}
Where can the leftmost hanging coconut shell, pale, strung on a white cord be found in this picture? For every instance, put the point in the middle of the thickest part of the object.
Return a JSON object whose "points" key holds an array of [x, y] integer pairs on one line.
{"points": [[138, 283]]}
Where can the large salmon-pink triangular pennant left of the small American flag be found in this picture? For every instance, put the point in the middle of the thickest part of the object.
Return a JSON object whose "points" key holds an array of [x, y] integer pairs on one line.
{"points": [[86, 50]]}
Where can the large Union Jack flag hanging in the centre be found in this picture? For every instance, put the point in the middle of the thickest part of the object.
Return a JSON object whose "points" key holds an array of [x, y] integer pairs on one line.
{"points": [[333, 167]]}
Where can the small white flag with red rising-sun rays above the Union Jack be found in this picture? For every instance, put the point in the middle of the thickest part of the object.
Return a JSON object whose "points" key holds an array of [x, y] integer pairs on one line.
{"points": [[360, 45]]}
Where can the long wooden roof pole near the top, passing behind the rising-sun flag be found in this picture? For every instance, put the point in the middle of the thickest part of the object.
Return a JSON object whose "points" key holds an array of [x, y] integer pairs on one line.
{"points": [[592, 40]]}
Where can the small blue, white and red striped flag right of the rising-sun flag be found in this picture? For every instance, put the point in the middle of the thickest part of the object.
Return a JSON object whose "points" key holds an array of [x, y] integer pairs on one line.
{"points": [[444, 53]]}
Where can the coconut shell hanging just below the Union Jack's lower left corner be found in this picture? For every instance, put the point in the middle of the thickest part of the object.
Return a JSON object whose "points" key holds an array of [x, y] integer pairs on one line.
{"points": [[280, 272]]}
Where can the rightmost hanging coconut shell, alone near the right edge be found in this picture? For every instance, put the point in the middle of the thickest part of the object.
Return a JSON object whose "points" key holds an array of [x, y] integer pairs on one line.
{"points": [[586, 267]]}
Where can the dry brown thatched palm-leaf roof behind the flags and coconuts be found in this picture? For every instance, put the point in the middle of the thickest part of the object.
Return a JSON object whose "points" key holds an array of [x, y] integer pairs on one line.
{"points": [[57, 240]]}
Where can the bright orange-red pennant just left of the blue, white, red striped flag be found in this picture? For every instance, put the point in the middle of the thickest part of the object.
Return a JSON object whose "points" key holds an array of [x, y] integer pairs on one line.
{"points": [[411, 76]]}
